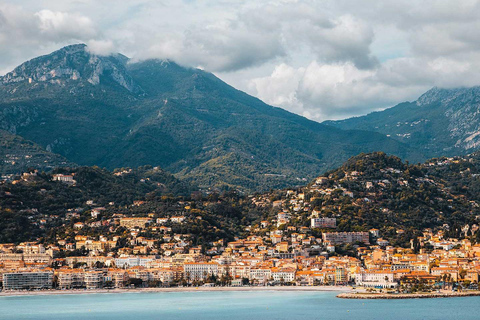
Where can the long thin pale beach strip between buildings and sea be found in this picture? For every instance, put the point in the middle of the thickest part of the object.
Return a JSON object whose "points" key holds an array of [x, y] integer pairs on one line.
{"points": [[343, 289]]}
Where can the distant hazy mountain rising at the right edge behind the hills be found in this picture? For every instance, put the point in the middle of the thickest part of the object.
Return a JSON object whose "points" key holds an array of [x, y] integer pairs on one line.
{"points": [[441, 122]]}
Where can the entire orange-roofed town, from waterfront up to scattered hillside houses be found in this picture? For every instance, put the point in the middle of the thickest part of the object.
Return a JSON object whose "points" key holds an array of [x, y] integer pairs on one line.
{"points": [[140, 251]]}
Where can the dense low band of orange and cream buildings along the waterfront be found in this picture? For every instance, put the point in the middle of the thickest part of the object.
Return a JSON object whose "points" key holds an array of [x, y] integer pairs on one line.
{"points": [[254, 261]]}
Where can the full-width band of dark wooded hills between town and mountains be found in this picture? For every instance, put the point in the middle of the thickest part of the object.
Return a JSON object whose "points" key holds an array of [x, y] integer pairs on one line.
{"points": [[369, 191]]}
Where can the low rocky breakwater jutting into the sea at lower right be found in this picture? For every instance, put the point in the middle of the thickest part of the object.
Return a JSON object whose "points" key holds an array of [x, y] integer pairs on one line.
{"points": [[389, 296]]}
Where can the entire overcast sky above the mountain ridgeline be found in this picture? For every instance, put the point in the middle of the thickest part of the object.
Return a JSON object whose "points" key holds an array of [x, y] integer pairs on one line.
{"points": [[321, 59]]}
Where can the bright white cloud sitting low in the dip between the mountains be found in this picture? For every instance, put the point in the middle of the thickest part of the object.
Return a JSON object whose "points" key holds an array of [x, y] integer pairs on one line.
{"points": [[335, 91]]}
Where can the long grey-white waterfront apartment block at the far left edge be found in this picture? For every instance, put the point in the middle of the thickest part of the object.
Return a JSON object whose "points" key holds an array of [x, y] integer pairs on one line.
{"points": [[27, 280]]}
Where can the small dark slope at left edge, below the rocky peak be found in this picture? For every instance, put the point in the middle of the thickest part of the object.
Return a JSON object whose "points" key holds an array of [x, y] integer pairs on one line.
{"points": [[18, 155]]}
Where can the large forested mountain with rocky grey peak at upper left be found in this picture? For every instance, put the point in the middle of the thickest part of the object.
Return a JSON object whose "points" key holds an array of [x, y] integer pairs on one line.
{"points": [[112, 112]]}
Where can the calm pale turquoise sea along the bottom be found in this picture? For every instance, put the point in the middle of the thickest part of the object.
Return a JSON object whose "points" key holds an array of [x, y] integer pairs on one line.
{"points": [[231, 306]]}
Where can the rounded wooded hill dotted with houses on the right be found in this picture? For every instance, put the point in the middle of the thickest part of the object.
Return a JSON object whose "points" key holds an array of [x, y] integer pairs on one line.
{"points": [[390, 195]]}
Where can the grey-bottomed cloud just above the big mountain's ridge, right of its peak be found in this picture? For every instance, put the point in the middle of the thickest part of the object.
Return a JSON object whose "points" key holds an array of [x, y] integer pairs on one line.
{"points": [[224, 46]]}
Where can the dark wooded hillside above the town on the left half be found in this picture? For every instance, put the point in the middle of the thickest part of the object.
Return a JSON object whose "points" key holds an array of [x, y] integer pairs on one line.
{"points": [[36, 206]]}
